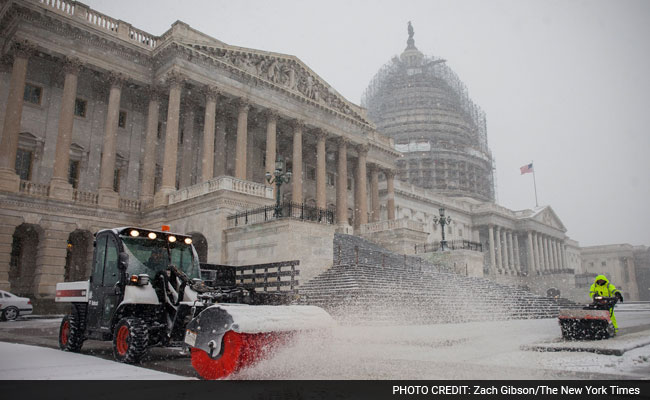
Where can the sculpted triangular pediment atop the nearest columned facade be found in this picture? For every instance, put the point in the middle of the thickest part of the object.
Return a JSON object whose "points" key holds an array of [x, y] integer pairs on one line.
{"points": [[283, 71]]}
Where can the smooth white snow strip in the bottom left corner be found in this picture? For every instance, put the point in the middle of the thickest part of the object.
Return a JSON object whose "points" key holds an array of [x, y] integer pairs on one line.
{"points": [[19, 361]]}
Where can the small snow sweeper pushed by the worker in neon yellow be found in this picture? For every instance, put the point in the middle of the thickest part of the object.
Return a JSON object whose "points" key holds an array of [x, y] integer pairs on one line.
{"points": [[592, 322]]}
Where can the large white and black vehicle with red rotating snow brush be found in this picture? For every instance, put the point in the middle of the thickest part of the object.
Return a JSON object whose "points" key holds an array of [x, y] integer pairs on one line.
{"points": [[145, 290]]}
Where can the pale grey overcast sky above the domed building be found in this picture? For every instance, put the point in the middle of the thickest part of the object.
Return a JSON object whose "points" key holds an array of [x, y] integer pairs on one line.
{"points": [[565, 84]]}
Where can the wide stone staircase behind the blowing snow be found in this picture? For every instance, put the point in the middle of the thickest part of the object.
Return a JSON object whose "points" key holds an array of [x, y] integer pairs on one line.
{"points": [[371, 284]]}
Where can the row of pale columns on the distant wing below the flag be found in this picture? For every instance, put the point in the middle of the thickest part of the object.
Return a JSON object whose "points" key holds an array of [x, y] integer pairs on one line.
{"points": [[544, 254]]}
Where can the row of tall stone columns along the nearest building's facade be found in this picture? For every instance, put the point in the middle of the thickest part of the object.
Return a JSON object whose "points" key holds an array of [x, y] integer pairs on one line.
{"points": [[60, 188]]}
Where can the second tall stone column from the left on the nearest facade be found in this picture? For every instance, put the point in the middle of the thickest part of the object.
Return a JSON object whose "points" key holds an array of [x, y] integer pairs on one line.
{"points": [[59, 186]]}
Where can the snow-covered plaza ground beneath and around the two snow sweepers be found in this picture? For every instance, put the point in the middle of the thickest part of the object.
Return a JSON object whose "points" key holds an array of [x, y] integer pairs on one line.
{"points": [[477, 350]]}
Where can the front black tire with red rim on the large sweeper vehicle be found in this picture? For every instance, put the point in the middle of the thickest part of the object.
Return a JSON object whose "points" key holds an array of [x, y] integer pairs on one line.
{"points": [[130, 340]]}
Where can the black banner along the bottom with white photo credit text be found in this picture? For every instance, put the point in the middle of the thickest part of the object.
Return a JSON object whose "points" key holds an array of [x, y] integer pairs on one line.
{"points": [[316, 390]]}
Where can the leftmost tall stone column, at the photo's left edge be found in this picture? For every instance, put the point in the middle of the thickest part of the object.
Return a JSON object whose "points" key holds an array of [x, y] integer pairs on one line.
{"points": [[9, 180]]}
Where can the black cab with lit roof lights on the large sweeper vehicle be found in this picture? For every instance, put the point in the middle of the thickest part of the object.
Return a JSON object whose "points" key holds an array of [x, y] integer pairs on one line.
{"points": [[122, 253]]}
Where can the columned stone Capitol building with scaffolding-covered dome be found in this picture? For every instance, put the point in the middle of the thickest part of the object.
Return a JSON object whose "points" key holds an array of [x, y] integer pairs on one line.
{"points": [[105, 125]]}
